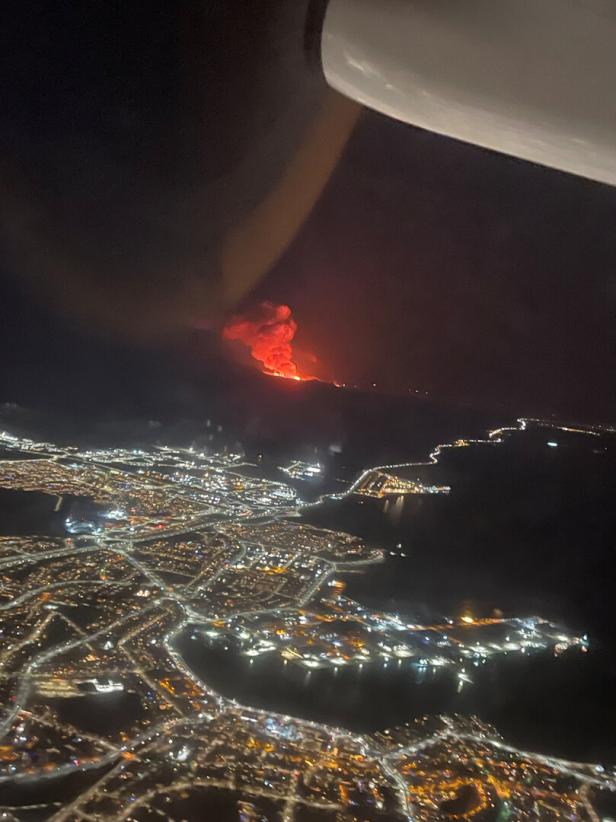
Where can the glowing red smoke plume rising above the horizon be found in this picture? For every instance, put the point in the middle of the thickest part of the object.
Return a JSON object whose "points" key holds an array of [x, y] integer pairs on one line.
{"points": [[268, 331]]}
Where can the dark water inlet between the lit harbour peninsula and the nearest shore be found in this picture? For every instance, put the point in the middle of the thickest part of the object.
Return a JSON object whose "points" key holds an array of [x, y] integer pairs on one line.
{"points": [[558, 705]]}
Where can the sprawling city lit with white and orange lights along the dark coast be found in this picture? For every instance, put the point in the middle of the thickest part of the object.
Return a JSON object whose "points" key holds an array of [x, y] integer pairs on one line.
{"points": [[155, 544]]}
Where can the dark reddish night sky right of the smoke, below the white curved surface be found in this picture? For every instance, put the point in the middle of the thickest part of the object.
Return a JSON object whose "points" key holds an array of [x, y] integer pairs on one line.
{"points": [[436, 264]]}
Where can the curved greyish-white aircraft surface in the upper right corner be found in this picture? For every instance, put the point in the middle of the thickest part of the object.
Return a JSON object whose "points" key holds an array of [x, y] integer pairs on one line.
{"points": [[532, 78]]}
